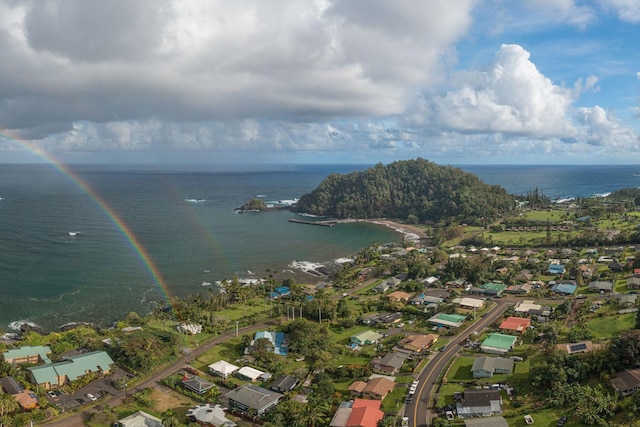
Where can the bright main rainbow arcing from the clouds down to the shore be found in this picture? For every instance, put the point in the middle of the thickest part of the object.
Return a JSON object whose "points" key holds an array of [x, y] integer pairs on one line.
{"points": [[131, 238]]}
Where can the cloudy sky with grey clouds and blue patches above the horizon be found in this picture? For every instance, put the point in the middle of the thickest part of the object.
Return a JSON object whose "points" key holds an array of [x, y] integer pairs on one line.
{"points": [[320, 81]]}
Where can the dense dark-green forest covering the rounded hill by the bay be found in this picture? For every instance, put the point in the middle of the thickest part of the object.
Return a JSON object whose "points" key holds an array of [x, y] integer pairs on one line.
{"points": [[412, 190]]}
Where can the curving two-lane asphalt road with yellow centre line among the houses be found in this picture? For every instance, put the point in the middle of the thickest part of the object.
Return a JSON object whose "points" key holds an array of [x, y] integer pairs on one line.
{"points": [[419, 412]]}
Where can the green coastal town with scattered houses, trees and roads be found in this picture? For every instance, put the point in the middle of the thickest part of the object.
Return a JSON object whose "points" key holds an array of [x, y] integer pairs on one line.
{"points": [[406, 334]]}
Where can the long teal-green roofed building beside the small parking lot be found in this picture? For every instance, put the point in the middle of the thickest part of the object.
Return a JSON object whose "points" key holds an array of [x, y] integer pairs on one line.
{"points": [[58, 374]]}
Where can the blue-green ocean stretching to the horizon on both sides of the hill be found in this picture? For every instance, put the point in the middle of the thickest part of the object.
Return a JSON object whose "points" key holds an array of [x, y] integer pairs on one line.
{"points": [[93, 247]]}
